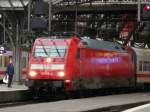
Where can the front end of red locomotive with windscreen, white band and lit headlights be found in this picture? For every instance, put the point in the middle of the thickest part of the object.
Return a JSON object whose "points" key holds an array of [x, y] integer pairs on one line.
{"points": [[47, 63]]}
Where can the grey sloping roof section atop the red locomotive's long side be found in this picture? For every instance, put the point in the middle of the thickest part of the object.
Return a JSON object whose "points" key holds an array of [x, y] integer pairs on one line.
{"points": [[100, 44]]}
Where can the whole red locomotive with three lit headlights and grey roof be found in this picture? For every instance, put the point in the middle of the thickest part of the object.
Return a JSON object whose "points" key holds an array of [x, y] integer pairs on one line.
{"points": [[79, 63]]}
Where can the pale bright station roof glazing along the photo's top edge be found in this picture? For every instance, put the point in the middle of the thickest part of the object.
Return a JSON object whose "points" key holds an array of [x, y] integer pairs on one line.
{"points": [[8, 4]]}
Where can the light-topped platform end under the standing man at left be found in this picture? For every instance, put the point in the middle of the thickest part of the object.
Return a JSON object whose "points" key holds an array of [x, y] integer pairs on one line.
{"points": [[15, 93]]}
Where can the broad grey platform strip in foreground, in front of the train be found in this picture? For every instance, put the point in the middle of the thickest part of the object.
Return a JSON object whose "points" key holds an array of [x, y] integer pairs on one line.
{"points": [[82, 105]]}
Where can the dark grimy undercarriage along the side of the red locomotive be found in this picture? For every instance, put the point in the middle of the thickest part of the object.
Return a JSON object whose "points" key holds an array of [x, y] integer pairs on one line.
{"points": [[102, 82]]}
